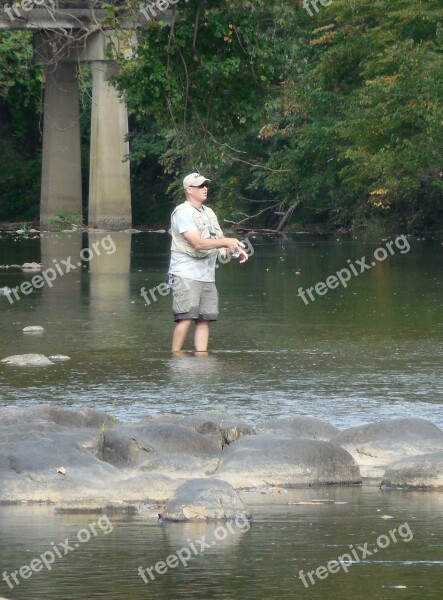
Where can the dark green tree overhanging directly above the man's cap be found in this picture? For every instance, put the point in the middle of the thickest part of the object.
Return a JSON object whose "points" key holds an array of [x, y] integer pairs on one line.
{"points": [[196, 90]]}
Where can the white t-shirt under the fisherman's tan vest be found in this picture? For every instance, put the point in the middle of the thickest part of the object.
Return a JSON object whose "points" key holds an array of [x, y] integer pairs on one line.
{"points": [[183, 265]]}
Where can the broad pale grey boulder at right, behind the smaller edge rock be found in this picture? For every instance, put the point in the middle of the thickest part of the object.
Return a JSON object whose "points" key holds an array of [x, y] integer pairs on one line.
{"points": [[377, 445]]}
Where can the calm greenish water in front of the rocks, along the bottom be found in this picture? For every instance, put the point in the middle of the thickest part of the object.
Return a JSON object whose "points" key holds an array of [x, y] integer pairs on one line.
{"points": [[256, 564]]}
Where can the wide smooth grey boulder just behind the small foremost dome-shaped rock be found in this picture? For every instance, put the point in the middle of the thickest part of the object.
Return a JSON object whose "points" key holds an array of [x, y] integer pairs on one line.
{"points": [[261, 460]]}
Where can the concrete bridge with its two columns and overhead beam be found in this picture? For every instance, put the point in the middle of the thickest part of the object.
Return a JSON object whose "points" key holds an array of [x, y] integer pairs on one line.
{"points": [[61, 184]]}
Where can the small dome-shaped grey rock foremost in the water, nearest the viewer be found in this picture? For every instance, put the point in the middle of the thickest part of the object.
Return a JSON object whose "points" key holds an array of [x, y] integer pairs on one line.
{"points": [[203, 499]]}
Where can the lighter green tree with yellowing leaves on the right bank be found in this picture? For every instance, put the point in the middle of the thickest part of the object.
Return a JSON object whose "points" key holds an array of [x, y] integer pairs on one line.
{"points": [[363, 120]]}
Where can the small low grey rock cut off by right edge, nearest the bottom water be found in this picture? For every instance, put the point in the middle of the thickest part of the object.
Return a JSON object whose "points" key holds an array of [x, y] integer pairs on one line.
{"points": [[424, 471]]}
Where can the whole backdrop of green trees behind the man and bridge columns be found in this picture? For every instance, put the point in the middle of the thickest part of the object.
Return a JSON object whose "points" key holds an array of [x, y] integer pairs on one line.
{"points": [[340, 113]]}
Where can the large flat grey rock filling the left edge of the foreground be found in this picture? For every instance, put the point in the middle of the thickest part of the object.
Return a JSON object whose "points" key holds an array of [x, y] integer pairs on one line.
{"points": [[49, 454]]}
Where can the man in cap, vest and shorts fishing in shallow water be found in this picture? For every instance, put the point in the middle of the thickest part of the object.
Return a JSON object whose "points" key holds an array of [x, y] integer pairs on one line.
{"points": [[196, 241]]}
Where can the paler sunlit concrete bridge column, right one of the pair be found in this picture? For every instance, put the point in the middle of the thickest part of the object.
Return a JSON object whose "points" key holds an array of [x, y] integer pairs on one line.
{"points": [[109, 180]]}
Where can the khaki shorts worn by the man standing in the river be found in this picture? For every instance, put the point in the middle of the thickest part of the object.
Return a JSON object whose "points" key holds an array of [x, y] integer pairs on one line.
{"points": [[191, 299]]}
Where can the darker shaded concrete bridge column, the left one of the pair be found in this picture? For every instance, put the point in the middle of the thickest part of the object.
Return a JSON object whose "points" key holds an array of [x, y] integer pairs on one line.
{"points": [[61, 169]]}
